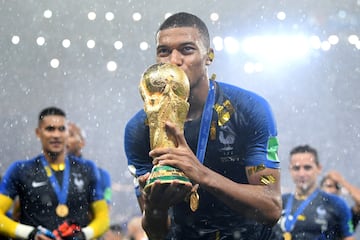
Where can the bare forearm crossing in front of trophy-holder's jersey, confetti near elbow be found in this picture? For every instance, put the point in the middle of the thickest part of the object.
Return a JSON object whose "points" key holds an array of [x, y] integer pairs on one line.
{"points": [[259, 202]]}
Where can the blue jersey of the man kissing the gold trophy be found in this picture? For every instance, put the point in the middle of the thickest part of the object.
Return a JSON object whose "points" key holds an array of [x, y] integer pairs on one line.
{"points": [[242, 133]]}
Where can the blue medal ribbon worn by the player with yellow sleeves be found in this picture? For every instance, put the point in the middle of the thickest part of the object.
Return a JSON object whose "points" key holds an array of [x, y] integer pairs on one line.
{"points": [[60, 193]]}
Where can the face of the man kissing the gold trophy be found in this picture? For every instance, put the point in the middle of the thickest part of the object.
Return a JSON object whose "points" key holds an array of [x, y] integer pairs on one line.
{"points": [[183, 46]]}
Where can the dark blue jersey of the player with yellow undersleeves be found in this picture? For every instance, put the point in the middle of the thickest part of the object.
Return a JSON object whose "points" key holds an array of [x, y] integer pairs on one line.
{"points": [[28, 179]]}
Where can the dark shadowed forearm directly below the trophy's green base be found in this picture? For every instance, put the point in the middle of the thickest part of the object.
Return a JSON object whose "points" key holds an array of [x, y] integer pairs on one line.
{"points": [[155, 223]]}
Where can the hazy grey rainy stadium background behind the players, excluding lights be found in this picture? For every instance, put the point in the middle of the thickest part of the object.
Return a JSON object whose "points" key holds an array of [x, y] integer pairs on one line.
{"points": [[315, 98]]}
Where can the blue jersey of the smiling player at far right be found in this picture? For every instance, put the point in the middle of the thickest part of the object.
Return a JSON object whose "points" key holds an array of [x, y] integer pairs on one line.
{"points": [[327, 216]]}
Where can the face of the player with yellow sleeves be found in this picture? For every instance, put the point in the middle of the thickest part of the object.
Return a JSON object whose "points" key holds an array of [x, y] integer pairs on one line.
{"points": [[53, 134]]}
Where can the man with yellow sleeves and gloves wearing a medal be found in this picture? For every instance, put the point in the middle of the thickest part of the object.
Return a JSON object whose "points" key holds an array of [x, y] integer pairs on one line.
{"points": [[56, 191]]}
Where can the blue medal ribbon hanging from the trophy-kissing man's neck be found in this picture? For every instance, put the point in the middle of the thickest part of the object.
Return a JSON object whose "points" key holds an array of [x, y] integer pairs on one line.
{"points": [[205, 123]]}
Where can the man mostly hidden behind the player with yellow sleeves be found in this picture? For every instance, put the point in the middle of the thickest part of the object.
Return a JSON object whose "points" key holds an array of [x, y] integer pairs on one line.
{"points": [[76, 143]]}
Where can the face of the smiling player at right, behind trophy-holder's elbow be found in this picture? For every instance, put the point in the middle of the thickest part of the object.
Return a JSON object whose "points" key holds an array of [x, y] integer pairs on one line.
{"points": [[304, 171]]}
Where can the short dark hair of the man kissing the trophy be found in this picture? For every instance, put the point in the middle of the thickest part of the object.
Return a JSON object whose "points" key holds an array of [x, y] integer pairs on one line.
{"points": [[183, 19]]}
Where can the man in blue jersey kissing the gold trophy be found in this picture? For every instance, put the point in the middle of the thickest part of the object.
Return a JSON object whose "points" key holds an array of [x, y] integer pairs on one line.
{"points": [[238, 178]]}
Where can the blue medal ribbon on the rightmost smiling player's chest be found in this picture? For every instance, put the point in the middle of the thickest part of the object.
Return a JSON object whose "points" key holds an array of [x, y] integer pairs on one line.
{"points": [[289, 223]]}
